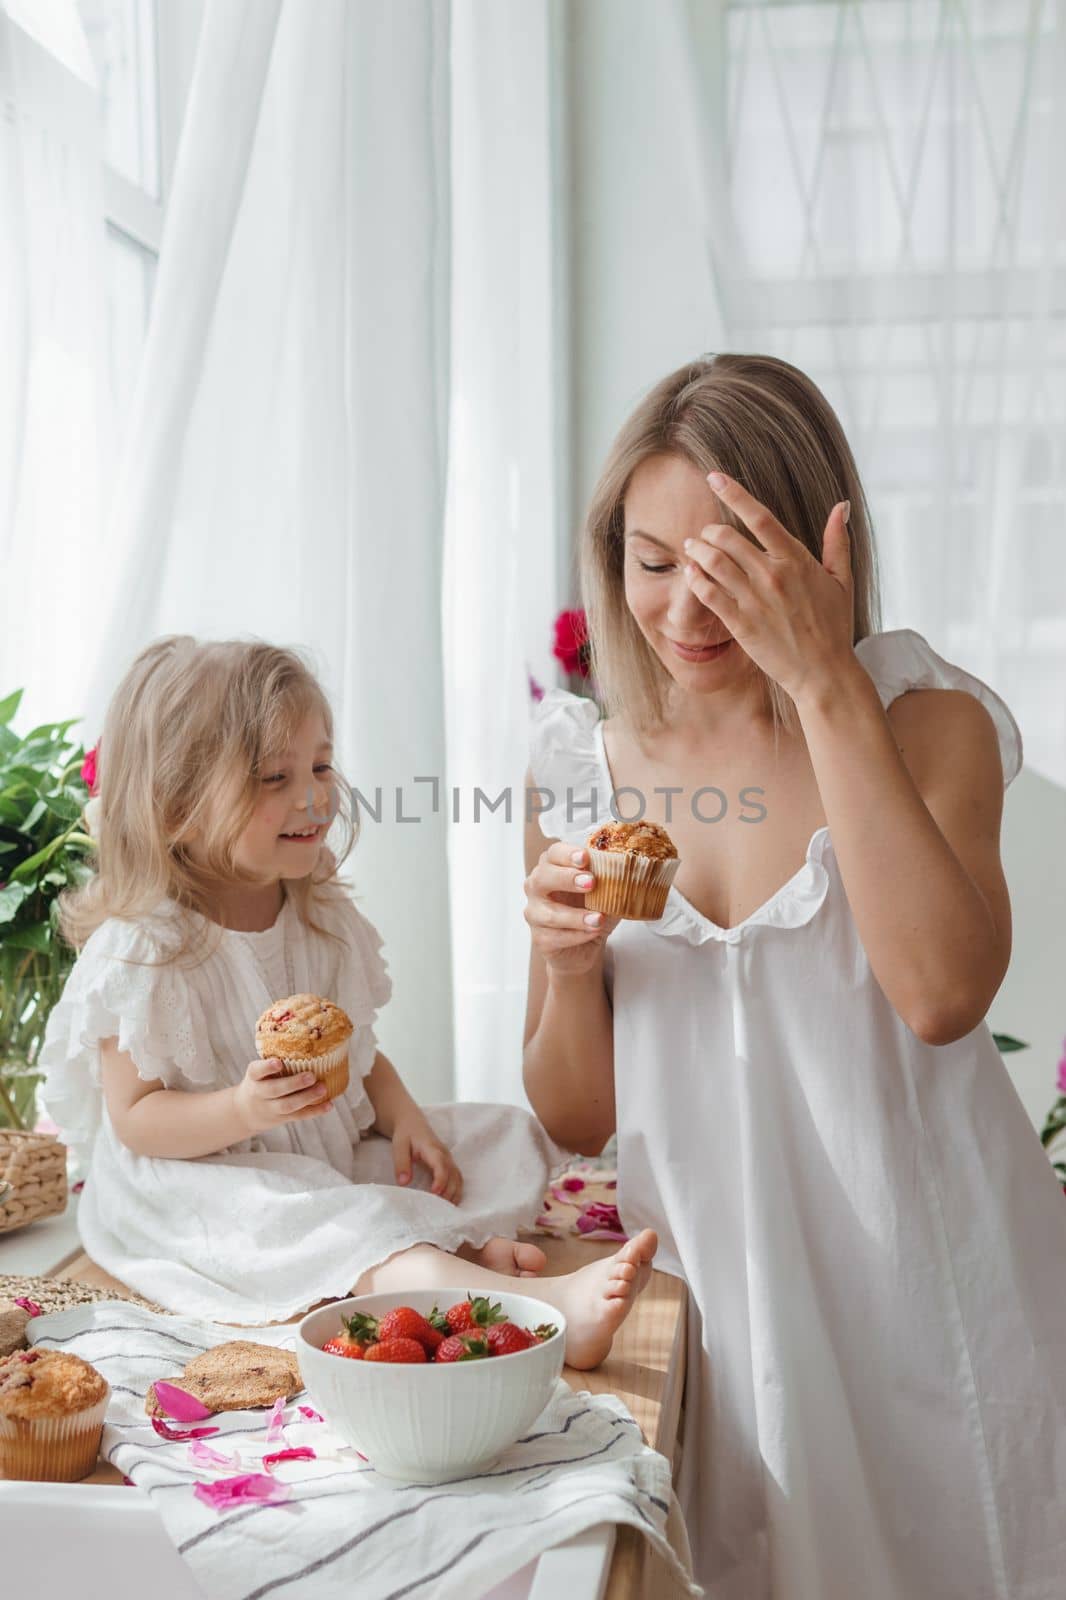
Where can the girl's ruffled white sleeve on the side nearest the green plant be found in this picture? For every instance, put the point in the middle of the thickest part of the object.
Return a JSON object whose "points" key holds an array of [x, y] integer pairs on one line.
{"points": [[121, 986]]}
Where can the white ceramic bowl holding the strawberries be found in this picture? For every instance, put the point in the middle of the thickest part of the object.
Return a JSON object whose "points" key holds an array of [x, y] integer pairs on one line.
{"points": [[428, 1425]]}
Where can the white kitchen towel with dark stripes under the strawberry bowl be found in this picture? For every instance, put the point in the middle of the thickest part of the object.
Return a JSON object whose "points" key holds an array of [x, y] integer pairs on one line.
{"points": [[340, 1529]]}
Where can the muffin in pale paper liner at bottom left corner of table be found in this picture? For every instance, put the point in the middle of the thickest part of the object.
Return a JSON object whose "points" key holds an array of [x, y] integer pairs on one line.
{"points": [[52, 1444]]}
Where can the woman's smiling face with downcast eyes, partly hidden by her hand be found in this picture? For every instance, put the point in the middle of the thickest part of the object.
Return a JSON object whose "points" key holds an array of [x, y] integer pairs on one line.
{"points": [[667, 503]]}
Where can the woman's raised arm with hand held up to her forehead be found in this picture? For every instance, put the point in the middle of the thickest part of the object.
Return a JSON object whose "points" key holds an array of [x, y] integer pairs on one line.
{"points": [[913, 799]]}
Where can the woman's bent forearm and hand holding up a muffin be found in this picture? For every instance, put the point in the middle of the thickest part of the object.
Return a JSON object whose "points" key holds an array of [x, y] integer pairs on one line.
{"points": [[569, 1060]]}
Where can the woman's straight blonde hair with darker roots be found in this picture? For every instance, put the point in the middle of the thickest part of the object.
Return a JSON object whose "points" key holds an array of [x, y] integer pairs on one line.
{"points": [[763, 423]]}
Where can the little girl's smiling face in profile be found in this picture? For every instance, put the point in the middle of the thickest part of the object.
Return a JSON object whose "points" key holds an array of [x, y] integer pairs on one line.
{"points": [[297, 804]]}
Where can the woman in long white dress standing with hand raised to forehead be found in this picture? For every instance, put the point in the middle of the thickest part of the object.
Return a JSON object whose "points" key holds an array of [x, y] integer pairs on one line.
{"points": [[809, 1105]]}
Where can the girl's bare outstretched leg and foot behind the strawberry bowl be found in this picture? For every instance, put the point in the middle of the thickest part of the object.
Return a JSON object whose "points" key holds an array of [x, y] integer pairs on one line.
{"points": [[595, 1300]]}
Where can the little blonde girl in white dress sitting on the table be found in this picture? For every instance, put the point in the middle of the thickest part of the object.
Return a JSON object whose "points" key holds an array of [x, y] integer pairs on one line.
{"points": [[218, 1186]]}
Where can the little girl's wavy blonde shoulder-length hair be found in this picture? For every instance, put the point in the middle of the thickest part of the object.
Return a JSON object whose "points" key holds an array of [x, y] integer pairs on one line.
{"points": [[180, 761]]}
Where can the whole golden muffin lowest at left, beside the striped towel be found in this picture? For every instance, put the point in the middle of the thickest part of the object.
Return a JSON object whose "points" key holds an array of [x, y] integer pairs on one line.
{"points": [[52, 1417]]}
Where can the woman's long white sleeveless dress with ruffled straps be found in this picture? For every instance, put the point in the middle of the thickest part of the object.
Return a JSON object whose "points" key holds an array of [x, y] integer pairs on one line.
{"points": [[873, 1238]]}
